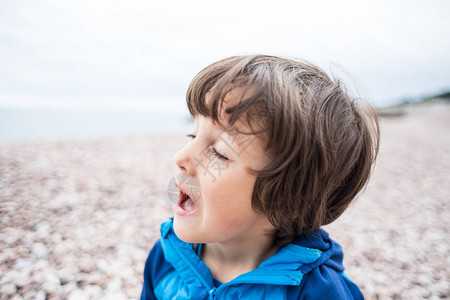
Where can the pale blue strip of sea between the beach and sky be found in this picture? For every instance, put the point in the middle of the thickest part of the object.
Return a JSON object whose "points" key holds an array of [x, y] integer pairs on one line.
{"points": [[23, 125]]}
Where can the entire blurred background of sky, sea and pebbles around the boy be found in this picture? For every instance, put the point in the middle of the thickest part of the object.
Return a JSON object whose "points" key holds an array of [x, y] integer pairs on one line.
{"points": [[92, 110]]}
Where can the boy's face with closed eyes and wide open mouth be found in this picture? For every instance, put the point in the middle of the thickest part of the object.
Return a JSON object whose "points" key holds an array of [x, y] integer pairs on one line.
{"points": [[217, 163]]}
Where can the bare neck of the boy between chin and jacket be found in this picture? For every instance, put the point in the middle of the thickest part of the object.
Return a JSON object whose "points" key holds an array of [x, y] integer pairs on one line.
{"points": [[227, 260]]}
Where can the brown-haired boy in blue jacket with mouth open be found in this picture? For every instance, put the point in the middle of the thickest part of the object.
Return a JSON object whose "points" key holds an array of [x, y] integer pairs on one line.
{"points": [[278, 150]]}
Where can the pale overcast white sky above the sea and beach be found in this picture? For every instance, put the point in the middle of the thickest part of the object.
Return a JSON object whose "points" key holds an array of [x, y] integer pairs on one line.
{"points": [[142, 55]]}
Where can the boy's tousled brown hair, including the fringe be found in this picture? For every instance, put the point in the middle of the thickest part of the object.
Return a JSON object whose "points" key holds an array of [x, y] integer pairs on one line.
{"points": [[322, 143]]}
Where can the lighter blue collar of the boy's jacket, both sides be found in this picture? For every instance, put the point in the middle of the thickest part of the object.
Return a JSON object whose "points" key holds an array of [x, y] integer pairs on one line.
{"points": [[286, 267]]}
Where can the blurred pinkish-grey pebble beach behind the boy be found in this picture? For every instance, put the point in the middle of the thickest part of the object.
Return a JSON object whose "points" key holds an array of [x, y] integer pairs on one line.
{"points": [[78, 217]]}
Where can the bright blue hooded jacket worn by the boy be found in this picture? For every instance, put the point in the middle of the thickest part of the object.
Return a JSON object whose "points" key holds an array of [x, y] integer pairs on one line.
{"points": [[310, 268]]}
